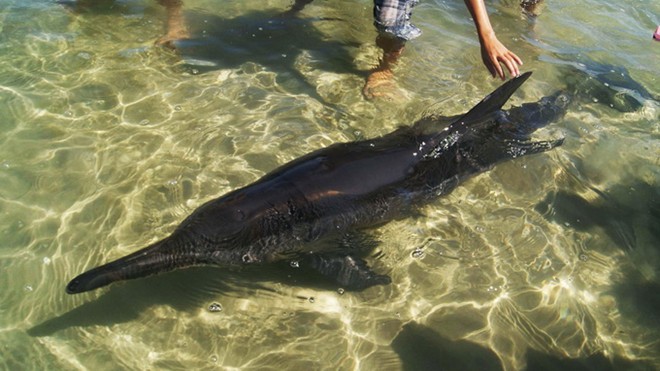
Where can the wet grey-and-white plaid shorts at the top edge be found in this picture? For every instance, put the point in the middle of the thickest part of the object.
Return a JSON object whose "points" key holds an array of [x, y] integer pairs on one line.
{"points": [[392, 18]]}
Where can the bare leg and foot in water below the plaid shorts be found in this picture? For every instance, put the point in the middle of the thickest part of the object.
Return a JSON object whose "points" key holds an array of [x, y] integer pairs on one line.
{"points": [[379, 82]]}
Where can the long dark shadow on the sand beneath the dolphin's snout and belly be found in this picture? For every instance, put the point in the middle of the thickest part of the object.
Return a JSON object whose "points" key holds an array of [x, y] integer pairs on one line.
{"points": [[183, 290]]}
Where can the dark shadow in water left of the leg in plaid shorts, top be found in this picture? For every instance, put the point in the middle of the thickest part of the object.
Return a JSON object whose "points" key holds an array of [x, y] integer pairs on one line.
{"points": [[270, 40]]}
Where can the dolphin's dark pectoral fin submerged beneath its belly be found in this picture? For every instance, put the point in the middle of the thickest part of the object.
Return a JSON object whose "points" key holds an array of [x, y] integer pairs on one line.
{"points": [[349, 271]]}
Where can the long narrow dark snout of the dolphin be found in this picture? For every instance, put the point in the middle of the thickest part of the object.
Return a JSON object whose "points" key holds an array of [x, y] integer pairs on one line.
{"points": [[159, 257]]}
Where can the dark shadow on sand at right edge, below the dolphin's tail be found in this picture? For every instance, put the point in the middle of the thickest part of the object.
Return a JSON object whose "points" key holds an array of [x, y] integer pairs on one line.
{"points": [[629, 214]]}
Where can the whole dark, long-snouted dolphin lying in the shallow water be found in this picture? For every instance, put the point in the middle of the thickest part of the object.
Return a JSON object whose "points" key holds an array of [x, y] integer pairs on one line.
{"points": [[305, 210]]}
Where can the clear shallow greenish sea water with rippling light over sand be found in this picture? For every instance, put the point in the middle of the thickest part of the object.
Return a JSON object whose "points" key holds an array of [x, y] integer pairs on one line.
{"points": [[107, 142]]}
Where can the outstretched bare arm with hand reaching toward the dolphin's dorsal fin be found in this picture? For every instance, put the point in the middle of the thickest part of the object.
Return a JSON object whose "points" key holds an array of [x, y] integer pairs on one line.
{"points": [[493, 52]]}
